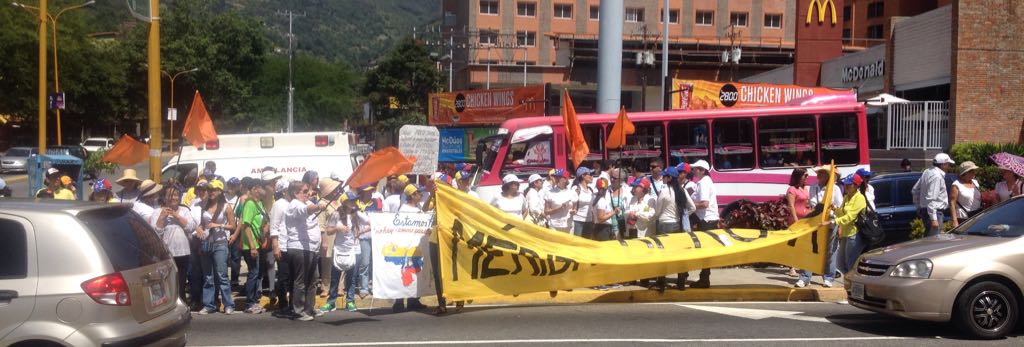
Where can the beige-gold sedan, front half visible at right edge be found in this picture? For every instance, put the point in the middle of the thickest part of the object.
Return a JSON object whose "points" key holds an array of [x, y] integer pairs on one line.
{"points": [[971, 277]]}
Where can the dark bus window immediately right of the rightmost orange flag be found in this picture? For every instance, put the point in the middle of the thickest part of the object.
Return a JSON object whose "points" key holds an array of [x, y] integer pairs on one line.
{"points": [[646, 145]]}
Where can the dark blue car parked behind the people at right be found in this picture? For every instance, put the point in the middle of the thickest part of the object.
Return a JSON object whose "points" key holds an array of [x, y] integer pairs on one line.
{"points": [[894, 203]]}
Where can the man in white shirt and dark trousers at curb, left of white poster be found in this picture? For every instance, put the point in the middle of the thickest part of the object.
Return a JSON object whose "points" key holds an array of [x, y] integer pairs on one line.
{"points": [[303, 233]]}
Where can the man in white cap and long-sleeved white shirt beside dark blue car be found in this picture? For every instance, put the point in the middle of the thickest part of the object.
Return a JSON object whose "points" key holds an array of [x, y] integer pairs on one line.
{"points": [[930, 194]]}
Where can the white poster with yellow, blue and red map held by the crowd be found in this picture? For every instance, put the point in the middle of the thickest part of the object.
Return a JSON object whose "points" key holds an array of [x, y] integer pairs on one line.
{"points": [[402, 255]]}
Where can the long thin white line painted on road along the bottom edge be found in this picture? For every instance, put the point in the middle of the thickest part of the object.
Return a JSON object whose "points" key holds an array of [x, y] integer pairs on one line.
{"points": [[574, 341]]}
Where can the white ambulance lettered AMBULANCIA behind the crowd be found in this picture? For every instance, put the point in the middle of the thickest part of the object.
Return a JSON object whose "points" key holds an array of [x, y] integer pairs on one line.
{"points": [[290, 154]]}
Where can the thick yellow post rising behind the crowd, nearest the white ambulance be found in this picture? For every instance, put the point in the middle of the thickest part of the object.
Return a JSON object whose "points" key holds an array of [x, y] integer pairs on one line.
{"points": [[156, 138]]}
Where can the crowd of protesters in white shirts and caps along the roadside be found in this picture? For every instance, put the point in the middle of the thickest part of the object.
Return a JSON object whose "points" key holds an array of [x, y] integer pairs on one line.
{"points": [[302, 239]]}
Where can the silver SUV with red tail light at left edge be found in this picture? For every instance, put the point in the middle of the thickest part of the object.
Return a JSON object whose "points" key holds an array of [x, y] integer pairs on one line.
{"points": [[75, 274]]}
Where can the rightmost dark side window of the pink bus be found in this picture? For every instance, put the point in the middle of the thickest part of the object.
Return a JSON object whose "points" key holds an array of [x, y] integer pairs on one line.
{"points": [[839, 140]]}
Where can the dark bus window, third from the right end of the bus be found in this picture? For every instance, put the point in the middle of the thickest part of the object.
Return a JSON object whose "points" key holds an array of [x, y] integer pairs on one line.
{"points": [[734, 144]]}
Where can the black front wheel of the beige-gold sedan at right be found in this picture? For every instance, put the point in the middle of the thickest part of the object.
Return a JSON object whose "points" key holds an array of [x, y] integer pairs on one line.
{"points": [[987, 311]]}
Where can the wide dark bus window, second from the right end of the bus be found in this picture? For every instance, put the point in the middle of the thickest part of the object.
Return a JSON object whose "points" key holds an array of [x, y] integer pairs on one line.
{"points": [[787, 142]]}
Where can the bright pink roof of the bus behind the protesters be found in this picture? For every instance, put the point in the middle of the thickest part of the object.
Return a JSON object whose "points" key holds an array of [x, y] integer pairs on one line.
{"points": [[528, 122]]}
